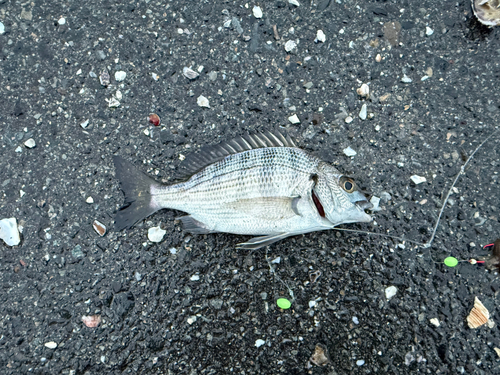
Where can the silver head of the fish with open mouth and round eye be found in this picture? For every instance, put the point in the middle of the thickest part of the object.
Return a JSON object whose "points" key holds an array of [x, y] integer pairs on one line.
{"points": [[337, 197]]}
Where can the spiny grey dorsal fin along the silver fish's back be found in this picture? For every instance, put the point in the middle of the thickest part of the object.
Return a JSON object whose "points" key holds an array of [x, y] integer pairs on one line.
{"points": [[211, 154]]}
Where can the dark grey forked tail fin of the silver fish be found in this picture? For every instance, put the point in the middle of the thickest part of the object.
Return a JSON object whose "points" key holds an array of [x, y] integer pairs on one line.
{"points": [[137, 189]]}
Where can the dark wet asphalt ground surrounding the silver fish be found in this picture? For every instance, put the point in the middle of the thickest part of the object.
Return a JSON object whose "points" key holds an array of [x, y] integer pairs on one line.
{"points": [[202, 309]]}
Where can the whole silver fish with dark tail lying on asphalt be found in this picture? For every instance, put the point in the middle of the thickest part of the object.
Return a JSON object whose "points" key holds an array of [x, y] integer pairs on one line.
{"points": [[261, 185]]}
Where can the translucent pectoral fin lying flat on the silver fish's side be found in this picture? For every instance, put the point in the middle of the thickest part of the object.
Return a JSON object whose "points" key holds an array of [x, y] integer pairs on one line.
{"points": [[267, 208]]}
